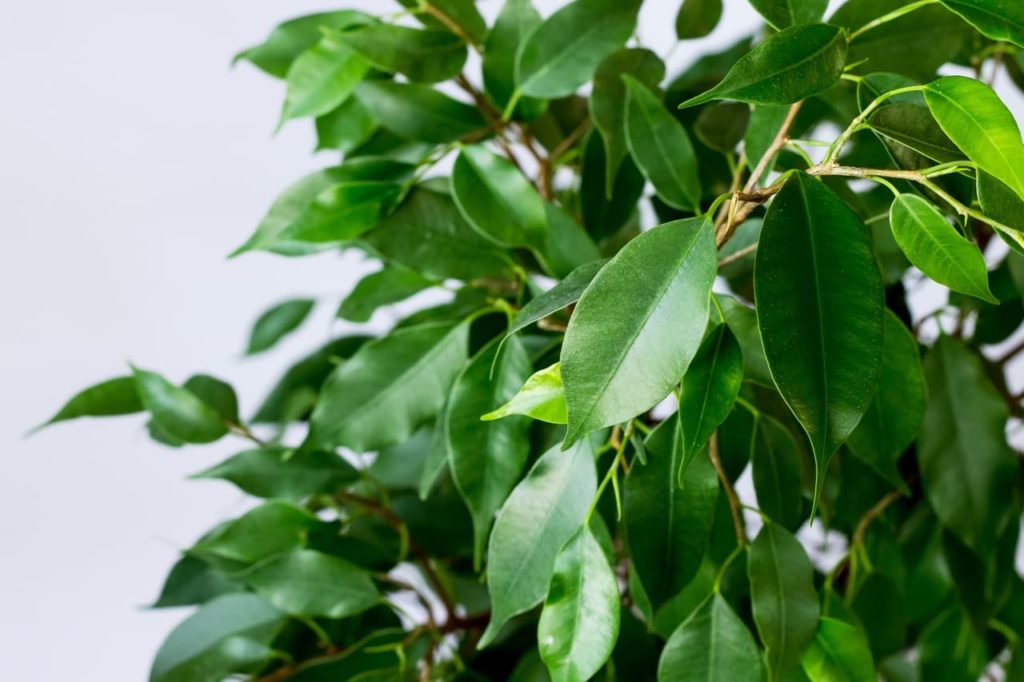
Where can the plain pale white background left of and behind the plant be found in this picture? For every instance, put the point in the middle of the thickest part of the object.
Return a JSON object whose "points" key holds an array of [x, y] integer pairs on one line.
{"points": [[133, 159]]}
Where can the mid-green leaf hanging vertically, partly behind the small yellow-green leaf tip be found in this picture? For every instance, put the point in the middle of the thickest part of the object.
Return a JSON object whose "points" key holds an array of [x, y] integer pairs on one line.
{"points": [[487, 458]]}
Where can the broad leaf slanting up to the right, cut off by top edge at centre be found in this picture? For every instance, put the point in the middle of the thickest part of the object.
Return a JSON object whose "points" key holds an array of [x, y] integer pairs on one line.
{"points": [[563, 54]]}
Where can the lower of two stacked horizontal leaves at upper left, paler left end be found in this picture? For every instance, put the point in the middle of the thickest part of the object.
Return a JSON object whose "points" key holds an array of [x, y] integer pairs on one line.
{"points": [[418, 112]]}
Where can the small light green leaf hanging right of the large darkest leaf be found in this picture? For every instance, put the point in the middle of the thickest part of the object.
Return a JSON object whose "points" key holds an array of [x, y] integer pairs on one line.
{"points": [[935, 247]]}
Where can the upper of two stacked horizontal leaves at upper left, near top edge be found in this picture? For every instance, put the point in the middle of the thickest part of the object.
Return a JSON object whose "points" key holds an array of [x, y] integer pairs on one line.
{"points": [[423, 57]]}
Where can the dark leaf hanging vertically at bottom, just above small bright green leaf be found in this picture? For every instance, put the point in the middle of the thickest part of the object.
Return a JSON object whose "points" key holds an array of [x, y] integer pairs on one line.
{"points": [[786, 606]]}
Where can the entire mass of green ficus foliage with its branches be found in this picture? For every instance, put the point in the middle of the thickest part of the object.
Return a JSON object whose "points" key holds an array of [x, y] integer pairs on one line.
{"points": [[487, 492]]}
